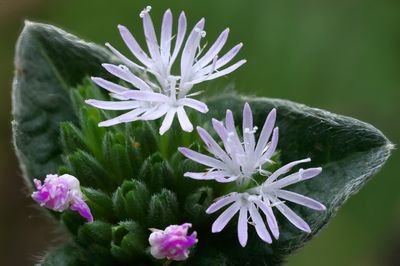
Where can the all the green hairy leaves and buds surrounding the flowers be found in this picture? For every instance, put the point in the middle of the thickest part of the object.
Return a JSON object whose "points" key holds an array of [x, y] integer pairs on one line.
{"points": [[133, 178]]}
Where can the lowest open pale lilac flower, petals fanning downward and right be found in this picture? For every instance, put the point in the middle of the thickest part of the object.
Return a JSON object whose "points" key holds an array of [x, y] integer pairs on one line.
{"points": [[264, 198]]}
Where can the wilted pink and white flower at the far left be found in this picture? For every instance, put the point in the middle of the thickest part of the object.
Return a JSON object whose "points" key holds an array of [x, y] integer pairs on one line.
{"points": [[59, 193]]}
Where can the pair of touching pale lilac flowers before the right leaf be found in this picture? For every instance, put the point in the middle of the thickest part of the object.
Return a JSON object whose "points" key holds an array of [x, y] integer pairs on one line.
{"points": [[241, 160]]}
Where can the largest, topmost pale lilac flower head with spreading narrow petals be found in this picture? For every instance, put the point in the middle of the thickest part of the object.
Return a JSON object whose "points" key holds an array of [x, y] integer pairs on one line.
{"points": [[170, 93]]}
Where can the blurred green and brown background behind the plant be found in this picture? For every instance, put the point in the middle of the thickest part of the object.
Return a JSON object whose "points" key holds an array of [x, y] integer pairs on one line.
{"points": [[343, 56]]}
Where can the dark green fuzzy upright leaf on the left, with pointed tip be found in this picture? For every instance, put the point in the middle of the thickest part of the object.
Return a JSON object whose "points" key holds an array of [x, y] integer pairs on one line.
{"points": [[48, 62]]}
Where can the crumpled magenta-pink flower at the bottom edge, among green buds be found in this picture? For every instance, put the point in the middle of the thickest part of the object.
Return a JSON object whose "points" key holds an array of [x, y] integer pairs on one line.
{"points": [[173, 243]]}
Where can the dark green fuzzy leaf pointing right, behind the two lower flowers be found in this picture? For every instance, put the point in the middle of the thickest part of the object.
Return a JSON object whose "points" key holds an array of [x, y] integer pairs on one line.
{"points": [[349, 151]]}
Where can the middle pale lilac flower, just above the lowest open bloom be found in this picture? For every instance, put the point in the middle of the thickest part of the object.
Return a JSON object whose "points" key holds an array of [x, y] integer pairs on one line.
{"points": [[241, 159]]}
